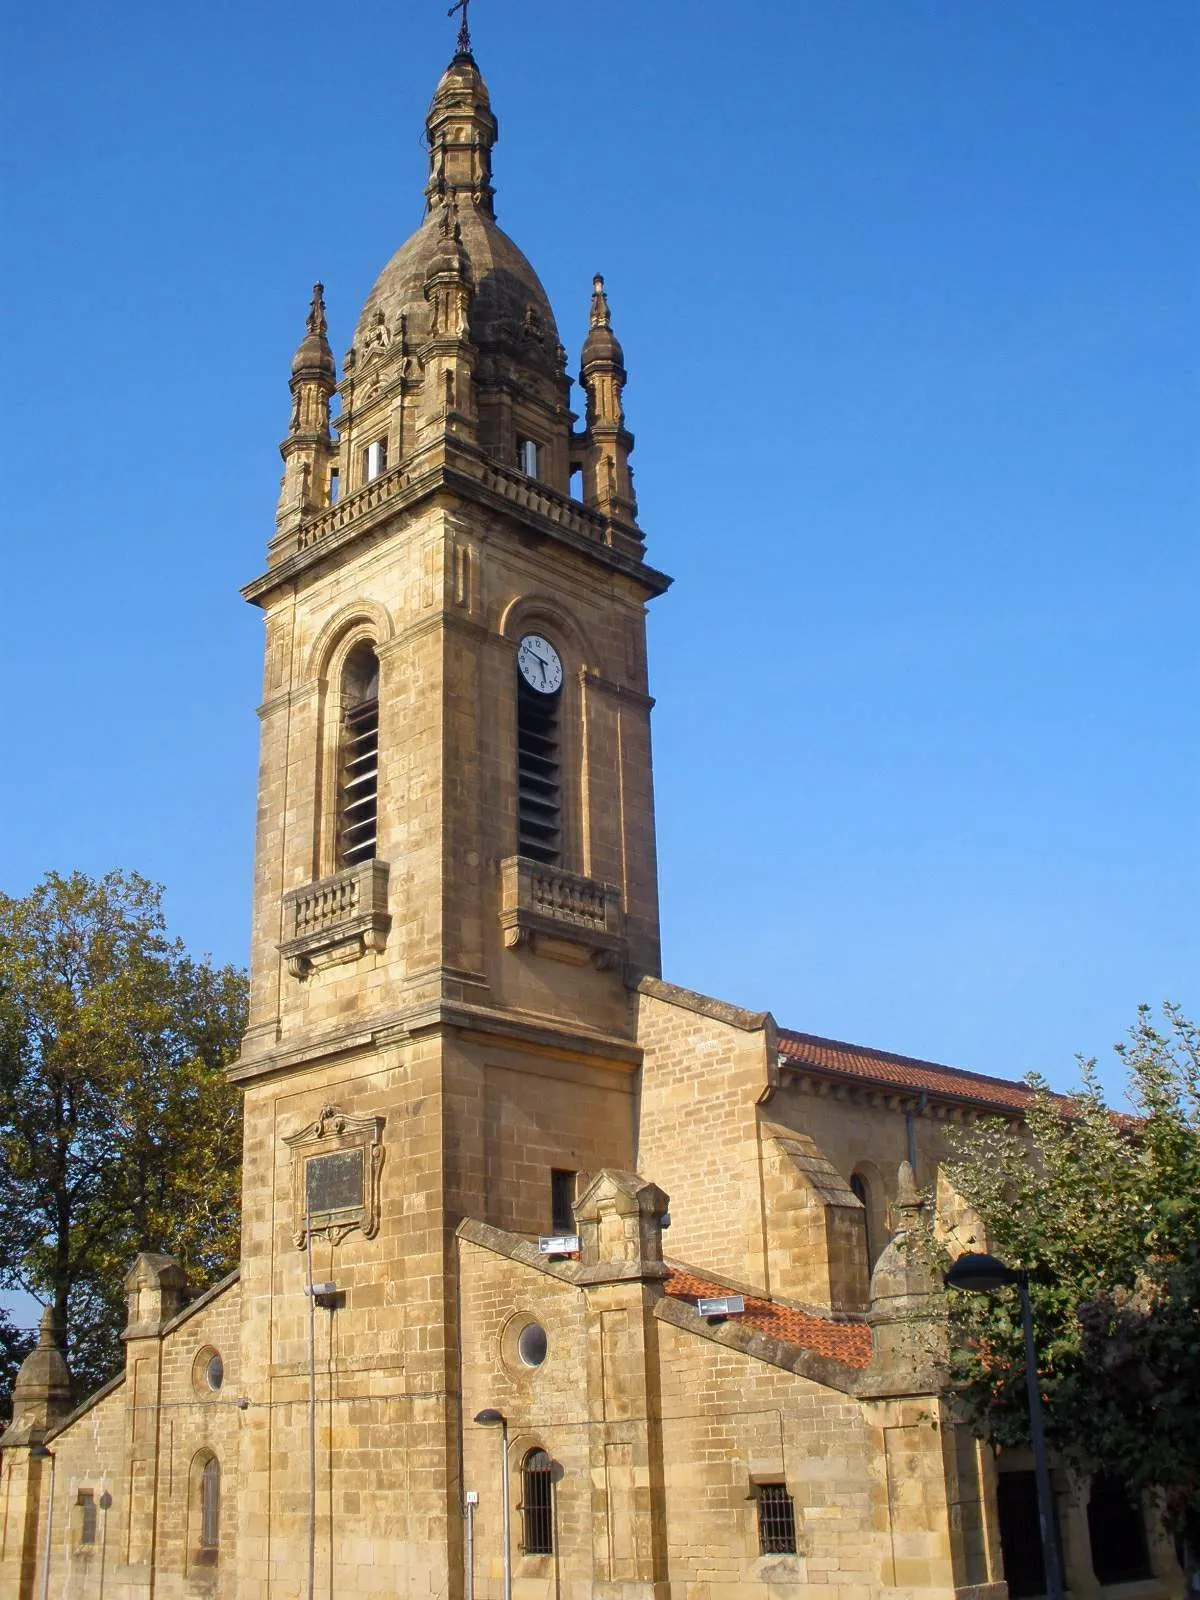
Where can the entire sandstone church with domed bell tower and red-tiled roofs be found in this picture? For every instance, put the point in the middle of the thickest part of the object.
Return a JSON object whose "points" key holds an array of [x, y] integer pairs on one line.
{"points": [[558, 1281]]}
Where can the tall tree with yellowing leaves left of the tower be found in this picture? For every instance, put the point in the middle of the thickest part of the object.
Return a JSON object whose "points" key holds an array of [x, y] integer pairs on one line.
{"points": [[119, 1130]]}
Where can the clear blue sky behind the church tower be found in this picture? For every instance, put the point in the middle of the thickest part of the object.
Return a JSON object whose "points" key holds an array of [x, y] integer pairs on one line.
{"points": [[908, 300]]}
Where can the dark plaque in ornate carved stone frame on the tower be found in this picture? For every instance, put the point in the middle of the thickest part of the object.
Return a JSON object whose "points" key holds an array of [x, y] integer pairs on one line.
{"points": [[335, 1177]]}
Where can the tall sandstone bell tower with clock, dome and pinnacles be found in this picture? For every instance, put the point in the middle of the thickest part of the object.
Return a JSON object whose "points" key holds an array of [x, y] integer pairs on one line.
{"points": [[455, 881]]}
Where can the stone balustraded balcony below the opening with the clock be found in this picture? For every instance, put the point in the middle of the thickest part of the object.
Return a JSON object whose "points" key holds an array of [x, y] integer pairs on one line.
{"points": [[545, 908]]}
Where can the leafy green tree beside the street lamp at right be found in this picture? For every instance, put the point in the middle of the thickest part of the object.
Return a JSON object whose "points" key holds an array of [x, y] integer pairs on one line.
{"points": [[1103, 1210]]}
